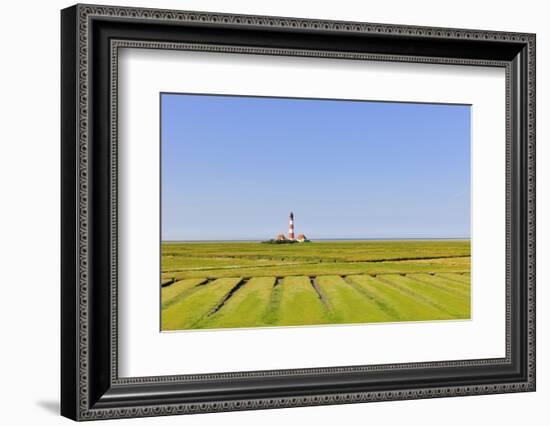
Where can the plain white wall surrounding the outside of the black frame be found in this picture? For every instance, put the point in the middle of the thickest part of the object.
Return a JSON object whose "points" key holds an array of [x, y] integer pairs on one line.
{"points": [[29, 213]]}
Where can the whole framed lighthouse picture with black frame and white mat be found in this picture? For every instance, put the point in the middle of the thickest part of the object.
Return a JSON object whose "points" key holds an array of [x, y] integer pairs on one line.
{"points": [[263, 212]]}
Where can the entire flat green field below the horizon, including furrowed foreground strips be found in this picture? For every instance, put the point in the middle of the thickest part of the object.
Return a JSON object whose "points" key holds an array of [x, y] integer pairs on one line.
{"points": [[245, 284]]}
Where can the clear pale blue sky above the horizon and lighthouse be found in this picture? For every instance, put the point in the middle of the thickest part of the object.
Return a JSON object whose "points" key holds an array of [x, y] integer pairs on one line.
{"points": [[234, 167]]}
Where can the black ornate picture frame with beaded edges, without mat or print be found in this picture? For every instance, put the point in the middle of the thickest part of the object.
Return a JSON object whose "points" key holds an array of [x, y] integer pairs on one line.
{"points": [[90, 386]]}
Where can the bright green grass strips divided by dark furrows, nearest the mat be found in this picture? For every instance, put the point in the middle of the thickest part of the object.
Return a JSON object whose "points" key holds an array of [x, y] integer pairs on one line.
{"points": [[324, 299]]}
